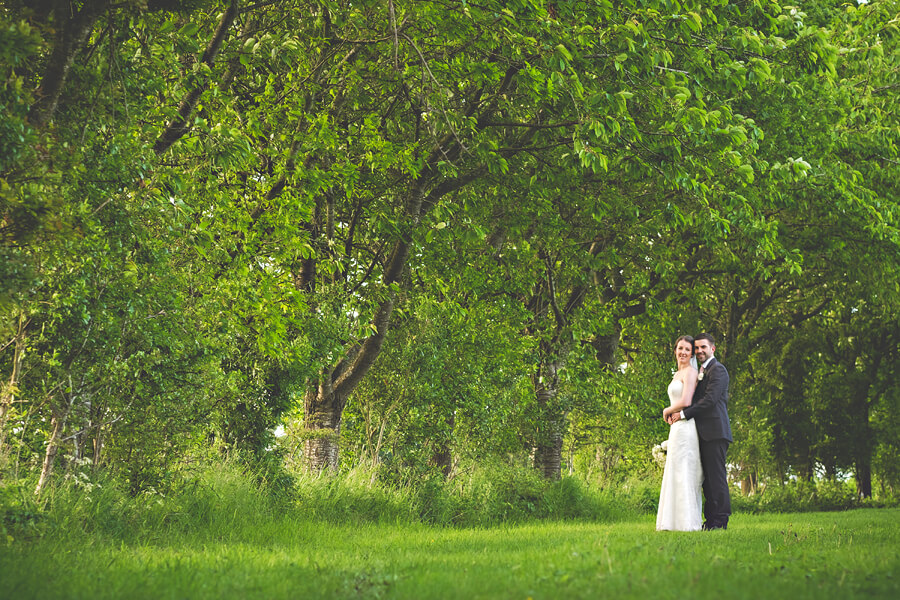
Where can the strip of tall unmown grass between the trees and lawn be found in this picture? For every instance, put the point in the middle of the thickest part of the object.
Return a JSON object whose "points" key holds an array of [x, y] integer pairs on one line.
{"points": [[227, 497]]}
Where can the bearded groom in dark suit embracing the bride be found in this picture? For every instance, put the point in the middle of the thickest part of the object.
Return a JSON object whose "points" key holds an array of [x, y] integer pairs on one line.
{"points": [[710, 409]]}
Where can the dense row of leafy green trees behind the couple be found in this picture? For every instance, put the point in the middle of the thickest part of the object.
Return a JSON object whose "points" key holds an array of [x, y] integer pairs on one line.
{"points": [[242, 198]]}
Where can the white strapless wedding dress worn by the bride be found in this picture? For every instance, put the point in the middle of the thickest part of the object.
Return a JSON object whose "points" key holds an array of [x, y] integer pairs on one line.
{"points": [[680, 503]]}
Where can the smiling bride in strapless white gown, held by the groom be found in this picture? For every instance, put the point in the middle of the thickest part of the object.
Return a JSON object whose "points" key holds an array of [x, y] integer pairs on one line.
{"points": [[679, 497]]}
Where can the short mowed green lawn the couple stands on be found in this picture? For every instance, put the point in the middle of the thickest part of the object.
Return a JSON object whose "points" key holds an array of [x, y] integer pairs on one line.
{"points": [[854, 554]]}
